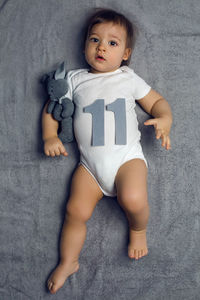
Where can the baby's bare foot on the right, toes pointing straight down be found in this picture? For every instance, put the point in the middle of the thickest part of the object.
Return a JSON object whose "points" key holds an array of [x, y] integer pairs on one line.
{"points": [[137, 247]]}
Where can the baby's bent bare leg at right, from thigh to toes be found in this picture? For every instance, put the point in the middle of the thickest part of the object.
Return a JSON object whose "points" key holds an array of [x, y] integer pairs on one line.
{"points": [[131, 183]]}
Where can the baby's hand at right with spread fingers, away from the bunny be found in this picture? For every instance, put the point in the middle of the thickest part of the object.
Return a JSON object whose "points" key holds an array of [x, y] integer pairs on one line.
{"points": [[162, 127]]}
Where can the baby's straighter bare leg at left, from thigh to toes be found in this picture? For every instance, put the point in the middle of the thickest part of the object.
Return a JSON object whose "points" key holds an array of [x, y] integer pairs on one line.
{"points": [[85, 193]]}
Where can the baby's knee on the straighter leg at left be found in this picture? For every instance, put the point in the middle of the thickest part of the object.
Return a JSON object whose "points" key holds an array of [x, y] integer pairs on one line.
{"points": [[76, 212]]}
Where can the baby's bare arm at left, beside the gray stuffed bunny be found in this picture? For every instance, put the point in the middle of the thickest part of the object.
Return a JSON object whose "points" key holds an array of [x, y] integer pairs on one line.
{"points": [[52, 144]]}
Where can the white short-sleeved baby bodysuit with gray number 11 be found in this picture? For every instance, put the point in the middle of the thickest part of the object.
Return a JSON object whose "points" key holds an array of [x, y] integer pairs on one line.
{"points": [[105, 122]]}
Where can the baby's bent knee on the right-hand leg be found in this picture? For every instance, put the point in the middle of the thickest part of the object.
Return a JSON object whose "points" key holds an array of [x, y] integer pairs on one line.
{"points": [[133, 201]]}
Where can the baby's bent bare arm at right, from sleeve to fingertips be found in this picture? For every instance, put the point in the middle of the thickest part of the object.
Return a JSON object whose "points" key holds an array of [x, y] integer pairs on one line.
{"points": [[154, 104]]}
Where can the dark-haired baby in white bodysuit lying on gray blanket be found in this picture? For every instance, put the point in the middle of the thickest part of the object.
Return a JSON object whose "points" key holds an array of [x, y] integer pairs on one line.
{"points": [[106, 130]]}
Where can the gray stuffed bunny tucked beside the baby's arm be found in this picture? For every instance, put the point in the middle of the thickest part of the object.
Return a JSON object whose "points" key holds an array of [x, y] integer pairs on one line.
{"points": [[59, 106]]}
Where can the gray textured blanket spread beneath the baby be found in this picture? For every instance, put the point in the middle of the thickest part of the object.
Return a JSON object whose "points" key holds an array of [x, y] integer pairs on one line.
{"points": [[35, 37]]}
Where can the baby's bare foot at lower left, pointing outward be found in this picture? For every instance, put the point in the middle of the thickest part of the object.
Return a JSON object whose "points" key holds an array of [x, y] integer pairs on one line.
{"points": [[60, 274]]}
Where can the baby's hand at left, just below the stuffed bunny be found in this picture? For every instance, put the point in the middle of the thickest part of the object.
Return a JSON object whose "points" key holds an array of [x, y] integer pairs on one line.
{"points": [[54, 147]]}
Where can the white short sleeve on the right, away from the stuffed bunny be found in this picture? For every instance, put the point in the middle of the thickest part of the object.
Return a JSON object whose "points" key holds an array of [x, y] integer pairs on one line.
{"points": [[141, 88]]}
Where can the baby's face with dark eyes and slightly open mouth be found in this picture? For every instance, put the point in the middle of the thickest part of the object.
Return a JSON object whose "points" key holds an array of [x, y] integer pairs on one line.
{"points": [[105, 47]]}
